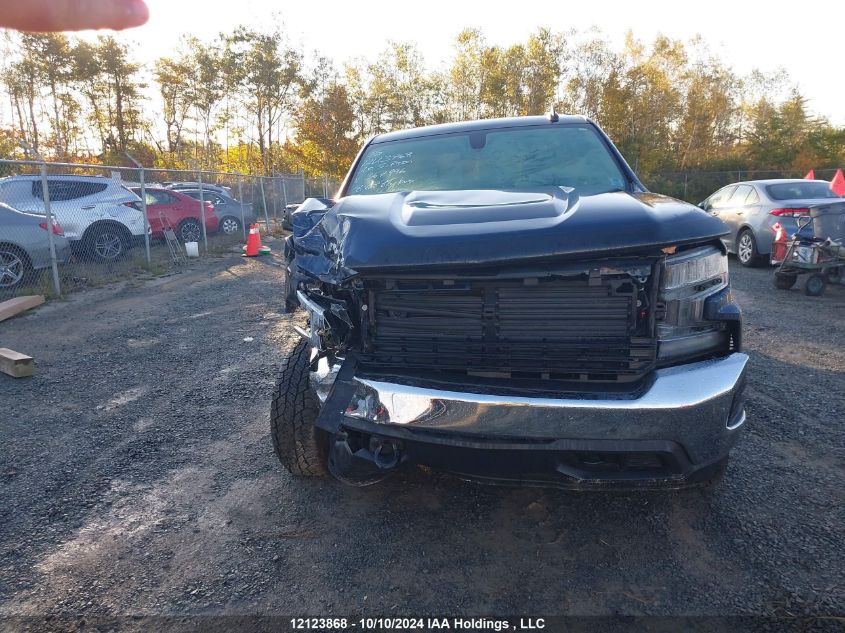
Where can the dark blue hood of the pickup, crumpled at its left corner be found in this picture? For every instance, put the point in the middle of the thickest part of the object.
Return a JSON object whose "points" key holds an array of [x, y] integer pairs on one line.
{"points": [[363, 234]]}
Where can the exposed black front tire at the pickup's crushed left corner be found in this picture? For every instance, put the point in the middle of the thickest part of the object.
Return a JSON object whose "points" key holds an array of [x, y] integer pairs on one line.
{"points": [[299, 445]]}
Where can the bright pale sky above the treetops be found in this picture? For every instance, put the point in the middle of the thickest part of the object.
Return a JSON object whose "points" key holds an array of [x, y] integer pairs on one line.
{"points": [[747, 35]]}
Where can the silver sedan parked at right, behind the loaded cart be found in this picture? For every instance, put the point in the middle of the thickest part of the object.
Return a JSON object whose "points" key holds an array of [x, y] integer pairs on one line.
{"points": [[752, 209]]}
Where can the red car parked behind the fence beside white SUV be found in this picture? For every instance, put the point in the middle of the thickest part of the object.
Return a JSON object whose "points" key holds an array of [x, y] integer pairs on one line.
{"points": [[166, 208]]}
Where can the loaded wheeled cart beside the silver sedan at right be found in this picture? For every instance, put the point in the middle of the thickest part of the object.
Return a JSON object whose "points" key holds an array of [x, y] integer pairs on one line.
{"points": [[820, 255]]}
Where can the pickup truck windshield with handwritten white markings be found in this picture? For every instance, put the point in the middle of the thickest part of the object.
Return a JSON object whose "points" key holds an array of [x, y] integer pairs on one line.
{"points": [[513, 158]]}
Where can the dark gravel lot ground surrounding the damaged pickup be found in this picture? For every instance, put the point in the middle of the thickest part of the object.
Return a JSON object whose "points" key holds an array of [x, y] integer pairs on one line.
{"points": [[137, 477]]}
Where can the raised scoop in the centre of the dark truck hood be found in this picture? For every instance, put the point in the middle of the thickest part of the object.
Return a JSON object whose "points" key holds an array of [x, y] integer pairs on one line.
{"points": [[435, 208]]}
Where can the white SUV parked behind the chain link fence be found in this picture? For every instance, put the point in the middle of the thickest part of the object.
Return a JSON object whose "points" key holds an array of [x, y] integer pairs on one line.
{"points": [[93, 211]]}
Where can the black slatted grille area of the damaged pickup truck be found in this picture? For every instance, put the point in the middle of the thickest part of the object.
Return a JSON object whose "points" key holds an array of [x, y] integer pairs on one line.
{"points": [[550, 329]]}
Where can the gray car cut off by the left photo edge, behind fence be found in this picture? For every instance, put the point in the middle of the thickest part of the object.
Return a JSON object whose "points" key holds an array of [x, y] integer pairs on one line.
{"points": [[25, 246]]}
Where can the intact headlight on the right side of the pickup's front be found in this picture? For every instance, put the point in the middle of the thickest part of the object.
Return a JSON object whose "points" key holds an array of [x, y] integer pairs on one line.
{"points": [[689, 280]]}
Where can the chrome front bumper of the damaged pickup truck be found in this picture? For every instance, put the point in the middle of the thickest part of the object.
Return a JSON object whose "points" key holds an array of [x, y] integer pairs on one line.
{"points": [[697, 406]]}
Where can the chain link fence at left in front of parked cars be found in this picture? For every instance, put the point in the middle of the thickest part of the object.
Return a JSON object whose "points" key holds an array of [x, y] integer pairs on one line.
{"points": [[64, 226]]}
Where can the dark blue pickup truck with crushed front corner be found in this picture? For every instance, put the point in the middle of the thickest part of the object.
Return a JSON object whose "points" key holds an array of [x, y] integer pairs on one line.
{"points": [[504, 300]]}
